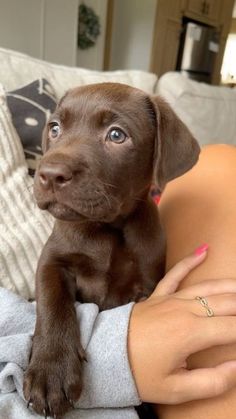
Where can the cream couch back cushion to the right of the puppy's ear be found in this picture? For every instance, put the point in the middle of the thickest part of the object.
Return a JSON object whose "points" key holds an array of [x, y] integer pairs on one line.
{"points": [[208, 111]]}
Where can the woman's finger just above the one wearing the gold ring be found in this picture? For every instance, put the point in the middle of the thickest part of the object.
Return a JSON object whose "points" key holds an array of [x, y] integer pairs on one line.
{"points": [[209, 287]]}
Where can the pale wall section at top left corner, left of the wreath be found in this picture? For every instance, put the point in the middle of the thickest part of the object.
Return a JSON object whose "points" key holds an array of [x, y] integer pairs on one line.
{"points": [[45, 29]]}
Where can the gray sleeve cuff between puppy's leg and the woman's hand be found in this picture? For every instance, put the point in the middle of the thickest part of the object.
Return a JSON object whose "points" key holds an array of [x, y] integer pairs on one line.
{"points": [[108, 381]]}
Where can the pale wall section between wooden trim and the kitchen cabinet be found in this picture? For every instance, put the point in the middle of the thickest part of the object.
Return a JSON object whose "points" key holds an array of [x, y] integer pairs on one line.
{"points": [[133, 24]]}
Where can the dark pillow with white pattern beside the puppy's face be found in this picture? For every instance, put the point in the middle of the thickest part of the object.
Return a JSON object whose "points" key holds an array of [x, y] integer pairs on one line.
{"points": [[30, 108]]}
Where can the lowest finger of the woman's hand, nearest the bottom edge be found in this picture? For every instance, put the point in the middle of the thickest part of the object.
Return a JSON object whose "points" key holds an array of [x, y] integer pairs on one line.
{"points": [[203, 383]]}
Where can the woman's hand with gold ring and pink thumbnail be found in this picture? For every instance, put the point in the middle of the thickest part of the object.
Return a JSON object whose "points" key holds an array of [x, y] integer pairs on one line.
{"points": [[170, 325]]}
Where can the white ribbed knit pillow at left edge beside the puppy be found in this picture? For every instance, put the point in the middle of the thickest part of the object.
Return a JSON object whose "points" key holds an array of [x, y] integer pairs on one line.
{"points": [[23, 227]]}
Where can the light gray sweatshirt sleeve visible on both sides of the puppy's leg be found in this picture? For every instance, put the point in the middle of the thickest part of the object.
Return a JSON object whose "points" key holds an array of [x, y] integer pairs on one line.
{"points": [[108, 381]]}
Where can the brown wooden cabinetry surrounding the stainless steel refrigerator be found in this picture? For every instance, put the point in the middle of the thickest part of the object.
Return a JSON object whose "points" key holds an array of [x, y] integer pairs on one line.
{"points": [[168, 26]]}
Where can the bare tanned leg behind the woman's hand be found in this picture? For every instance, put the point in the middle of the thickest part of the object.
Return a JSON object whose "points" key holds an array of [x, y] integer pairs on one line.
{"points": [[200, 207]]}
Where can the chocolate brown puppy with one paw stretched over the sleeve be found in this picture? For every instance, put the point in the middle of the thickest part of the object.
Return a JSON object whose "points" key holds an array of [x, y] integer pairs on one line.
{"points": [[103, 148]]}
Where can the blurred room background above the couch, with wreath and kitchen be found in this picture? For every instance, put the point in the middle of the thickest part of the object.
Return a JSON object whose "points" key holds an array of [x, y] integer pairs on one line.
{"points": [[196, 37]]}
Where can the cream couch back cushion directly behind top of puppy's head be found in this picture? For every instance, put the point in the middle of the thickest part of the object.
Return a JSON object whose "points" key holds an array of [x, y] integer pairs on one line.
{"points": [[17, 69]]}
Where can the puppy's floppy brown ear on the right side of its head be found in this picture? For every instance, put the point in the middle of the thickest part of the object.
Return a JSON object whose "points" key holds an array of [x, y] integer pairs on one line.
{"points": [[176, 150]]}
